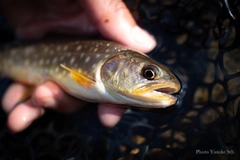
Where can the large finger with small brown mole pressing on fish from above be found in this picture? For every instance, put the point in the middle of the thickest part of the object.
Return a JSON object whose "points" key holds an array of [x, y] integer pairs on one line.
{"points": [[115, 22]]}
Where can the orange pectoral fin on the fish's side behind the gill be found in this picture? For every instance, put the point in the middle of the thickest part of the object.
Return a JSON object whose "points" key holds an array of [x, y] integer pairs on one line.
{"points": [[80, 77]]}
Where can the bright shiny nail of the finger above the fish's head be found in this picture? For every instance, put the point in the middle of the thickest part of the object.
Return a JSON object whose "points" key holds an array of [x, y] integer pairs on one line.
{"points": [[143, 38]]}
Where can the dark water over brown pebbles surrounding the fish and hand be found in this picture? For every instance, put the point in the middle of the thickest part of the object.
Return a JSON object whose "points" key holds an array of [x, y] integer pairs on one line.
{"points": [[200, 42]]}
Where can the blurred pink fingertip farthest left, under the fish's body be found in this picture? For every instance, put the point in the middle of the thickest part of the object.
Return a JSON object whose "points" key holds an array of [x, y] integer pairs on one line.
{"points": [[12, 96]]}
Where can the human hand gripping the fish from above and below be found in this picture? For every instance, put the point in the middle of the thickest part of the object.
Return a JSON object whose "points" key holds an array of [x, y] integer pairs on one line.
{"points": [[34, 19]]}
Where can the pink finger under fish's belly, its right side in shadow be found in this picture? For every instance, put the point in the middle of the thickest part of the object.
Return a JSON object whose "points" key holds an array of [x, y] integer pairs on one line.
{"points": [[50, 95]]}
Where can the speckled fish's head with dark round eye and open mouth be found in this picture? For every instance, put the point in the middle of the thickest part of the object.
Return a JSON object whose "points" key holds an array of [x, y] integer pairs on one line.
{"points": [[138, 80]]}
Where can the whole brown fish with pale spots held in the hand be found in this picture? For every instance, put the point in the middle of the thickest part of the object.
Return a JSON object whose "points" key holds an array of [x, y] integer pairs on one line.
{"points": [[93, 70]]}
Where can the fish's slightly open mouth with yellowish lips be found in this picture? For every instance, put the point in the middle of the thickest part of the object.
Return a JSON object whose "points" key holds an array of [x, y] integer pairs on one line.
{"points": [[159, 94]]}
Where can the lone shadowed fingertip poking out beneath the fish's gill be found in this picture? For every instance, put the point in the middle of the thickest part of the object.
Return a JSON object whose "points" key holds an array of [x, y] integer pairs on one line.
{"points": [[110, 114]]}
